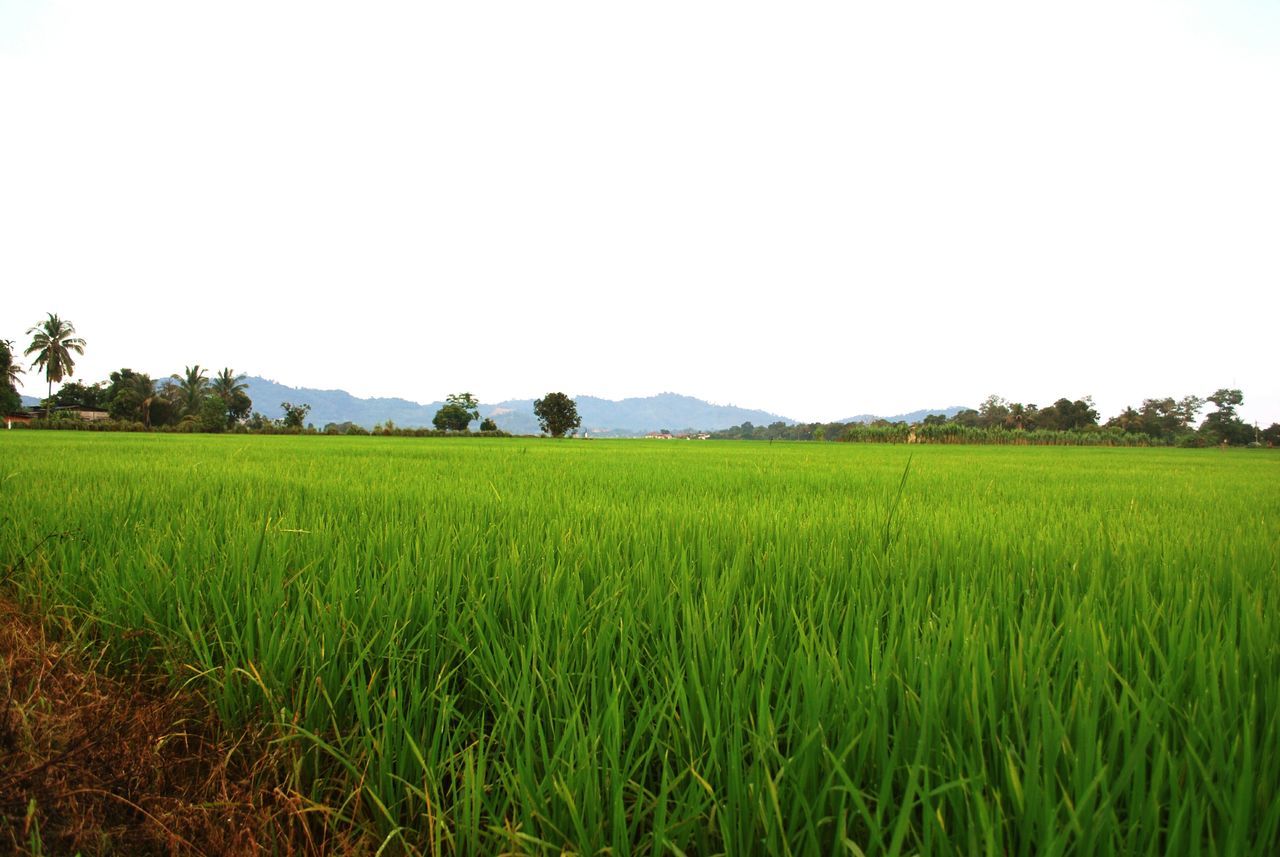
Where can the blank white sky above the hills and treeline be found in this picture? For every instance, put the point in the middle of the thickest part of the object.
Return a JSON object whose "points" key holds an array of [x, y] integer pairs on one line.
{"points": [[815, 209]]}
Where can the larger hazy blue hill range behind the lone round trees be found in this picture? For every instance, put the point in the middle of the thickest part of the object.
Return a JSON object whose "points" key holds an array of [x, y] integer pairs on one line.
{"points": [[621, 419]]}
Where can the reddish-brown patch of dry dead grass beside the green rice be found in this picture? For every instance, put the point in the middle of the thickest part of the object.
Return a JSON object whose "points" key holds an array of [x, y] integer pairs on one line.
{"points": [[102, 766]]}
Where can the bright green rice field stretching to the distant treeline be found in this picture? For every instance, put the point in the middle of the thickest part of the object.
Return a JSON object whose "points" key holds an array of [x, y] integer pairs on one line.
{"points": [[486, 645]]}
